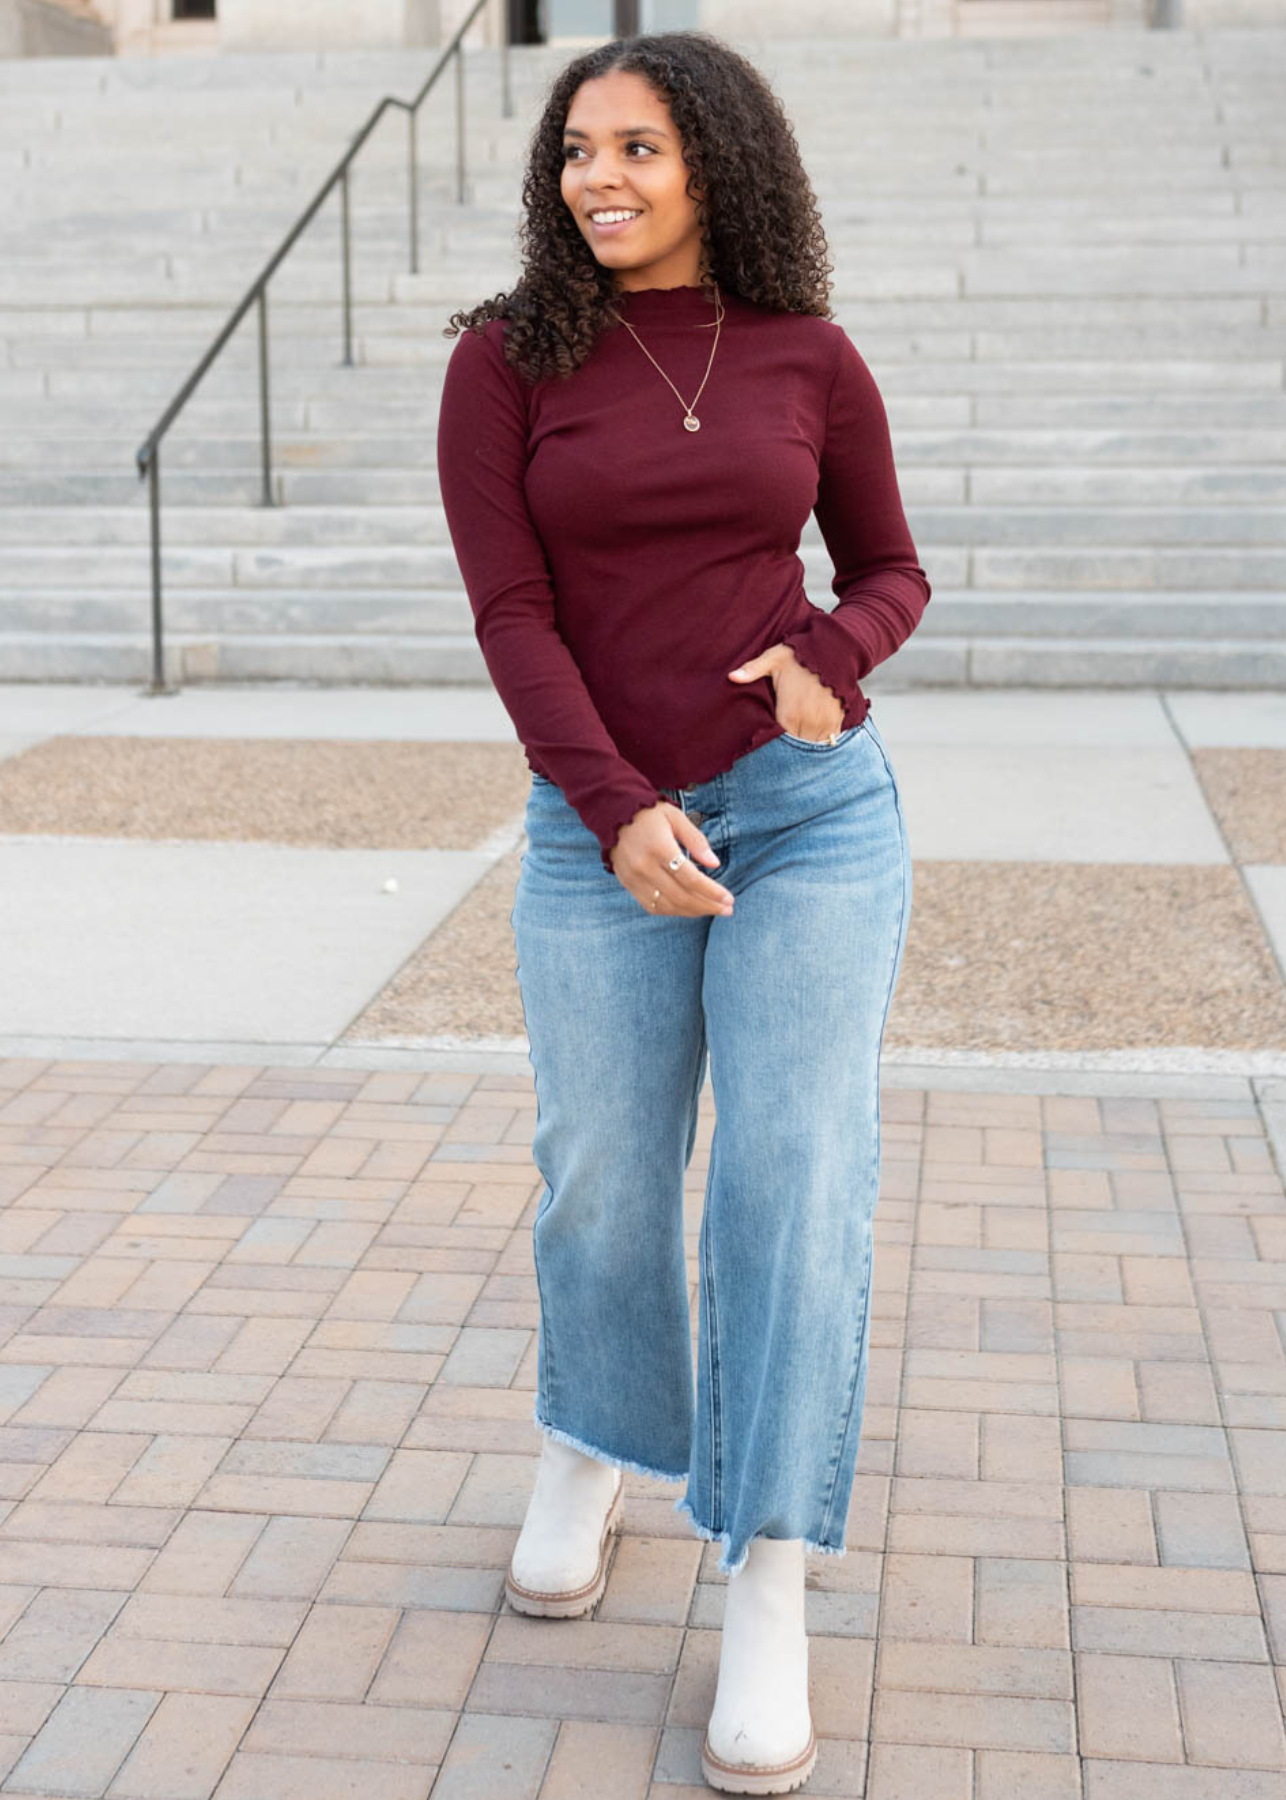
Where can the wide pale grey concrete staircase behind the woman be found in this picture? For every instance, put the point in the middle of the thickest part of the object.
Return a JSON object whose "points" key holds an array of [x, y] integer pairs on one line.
{"points": [[1062, 256]]}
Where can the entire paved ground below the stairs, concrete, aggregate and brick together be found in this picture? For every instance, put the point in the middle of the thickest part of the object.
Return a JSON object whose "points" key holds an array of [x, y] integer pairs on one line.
{"points": [[269, 1315]]}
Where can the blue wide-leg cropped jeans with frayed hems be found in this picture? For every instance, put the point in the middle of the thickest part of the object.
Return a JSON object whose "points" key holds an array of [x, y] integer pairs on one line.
{"points": [[786, 1003]]}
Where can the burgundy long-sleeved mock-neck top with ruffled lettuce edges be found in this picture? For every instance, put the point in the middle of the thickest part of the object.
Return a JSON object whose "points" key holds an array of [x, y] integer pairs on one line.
{"points": [[620, 566]]}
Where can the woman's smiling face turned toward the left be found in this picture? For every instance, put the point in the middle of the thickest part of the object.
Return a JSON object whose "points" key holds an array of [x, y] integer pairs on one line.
{"points": [[622, 154]]}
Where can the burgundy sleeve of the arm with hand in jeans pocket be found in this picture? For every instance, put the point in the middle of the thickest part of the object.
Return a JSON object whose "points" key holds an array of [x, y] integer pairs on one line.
{"points": [[880, 586]]}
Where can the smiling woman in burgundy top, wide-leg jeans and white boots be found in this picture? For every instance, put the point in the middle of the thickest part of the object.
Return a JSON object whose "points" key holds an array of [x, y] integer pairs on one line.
{"points": [[718, 872]]}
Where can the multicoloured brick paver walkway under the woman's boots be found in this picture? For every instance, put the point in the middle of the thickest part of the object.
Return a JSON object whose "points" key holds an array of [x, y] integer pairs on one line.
{"points": [[266, 1414]]}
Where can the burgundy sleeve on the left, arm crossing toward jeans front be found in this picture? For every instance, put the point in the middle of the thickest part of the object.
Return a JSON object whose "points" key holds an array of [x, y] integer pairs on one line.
{"points": [[482, 465]]}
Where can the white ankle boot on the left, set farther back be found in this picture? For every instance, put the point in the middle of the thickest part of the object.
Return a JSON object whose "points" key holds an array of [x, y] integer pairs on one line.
{"points": [[559, 1565]]}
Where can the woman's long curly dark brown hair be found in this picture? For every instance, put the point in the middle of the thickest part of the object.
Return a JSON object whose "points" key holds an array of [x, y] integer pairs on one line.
{"points": [[759, 219]]}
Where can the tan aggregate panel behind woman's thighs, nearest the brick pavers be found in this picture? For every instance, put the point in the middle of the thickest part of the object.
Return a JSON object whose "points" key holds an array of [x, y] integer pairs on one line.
{"points": [[999, 957]]}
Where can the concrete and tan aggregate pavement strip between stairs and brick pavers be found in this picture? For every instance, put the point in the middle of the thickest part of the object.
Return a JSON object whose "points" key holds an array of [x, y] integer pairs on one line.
{"points": [[1100, 877]]}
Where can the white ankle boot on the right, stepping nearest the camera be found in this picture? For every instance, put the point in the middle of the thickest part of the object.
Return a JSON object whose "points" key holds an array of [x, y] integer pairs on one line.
{"points": [[761, 1740]]}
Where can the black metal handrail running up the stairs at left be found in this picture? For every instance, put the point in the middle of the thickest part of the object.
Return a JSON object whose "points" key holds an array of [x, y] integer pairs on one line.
{"points": [[149, 456]]}
